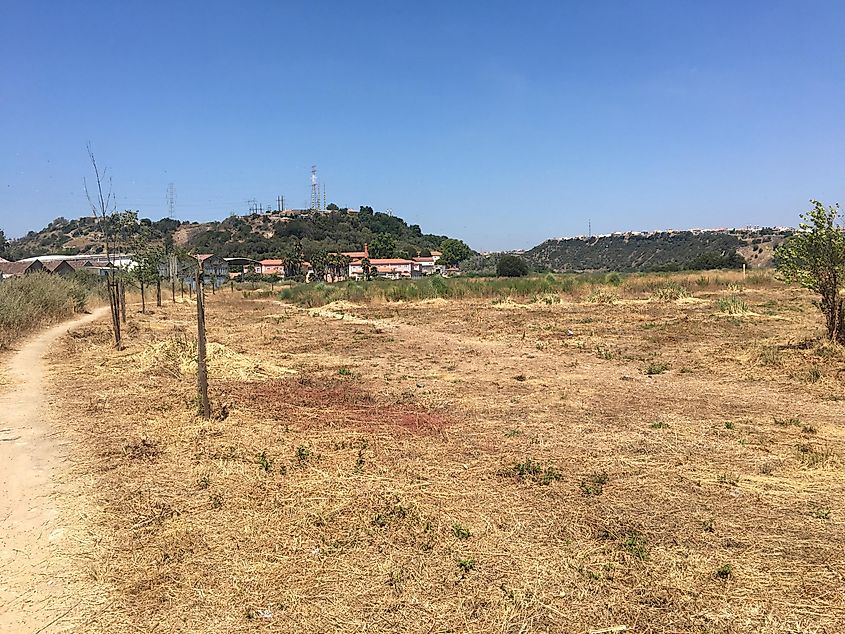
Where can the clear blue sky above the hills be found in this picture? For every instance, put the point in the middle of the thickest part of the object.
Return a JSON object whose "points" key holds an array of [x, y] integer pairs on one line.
{"points": [[503, 123]]}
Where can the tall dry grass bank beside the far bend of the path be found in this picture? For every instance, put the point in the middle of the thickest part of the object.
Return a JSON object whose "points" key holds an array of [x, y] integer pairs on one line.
{"points": [[32, 301]]}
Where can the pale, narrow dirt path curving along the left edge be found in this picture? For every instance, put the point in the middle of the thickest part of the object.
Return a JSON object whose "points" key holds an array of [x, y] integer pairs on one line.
{"points": [[33, 595]]}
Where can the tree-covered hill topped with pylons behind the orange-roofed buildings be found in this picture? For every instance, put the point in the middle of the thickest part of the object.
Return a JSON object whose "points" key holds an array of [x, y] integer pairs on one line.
{"points": [[256, 236]]}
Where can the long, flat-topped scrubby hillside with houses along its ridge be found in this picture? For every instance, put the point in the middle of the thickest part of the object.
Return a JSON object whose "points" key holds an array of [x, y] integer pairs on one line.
{"points": [[658, 251]]}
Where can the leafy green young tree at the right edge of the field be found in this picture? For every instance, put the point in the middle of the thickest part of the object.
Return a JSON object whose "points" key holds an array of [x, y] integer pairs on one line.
{"points": [[814, 257]]}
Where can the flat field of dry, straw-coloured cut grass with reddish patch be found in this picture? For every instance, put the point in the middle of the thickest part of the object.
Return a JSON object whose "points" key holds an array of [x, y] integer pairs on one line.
{"points": [[621, 458]]}
